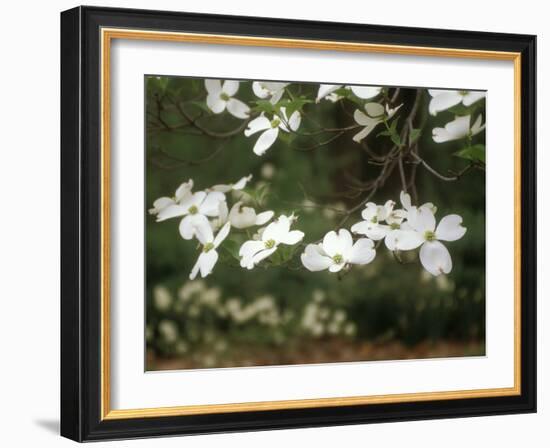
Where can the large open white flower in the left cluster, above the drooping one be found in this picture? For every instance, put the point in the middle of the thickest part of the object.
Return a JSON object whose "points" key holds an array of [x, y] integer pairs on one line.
{"points": [[195, 209]]}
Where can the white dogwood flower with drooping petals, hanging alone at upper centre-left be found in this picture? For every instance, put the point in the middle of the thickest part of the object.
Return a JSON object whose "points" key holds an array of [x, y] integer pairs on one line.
{"points": [[271, 129]]}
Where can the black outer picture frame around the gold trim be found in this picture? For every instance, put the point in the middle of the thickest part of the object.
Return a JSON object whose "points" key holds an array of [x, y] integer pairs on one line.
{"points": [[81, 224]]}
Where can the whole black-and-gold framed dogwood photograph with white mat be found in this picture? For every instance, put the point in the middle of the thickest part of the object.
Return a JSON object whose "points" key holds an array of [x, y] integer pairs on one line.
{"points": [[275, 224]]}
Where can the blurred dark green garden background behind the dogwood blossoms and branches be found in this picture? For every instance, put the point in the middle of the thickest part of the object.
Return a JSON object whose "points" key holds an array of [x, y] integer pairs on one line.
{"points": [[287, 315]]}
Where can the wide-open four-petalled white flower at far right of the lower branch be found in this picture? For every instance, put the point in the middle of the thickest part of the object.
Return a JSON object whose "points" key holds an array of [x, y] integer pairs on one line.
{"points": [[434, 256]]}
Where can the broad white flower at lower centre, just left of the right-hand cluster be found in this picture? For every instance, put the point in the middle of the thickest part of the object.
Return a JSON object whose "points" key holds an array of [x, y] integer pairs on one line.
{"points": [[336, 251]]}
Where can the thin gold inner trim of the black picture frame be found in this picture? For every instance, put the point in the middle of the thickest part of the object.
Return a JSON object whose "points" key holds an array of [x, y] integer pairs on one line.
{"points": [[107, 35]]}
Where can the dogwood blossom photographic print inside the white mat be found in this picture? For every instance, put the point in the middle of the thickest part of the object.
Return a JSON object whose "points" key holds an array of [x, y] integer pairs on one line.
{"points": [[297, 223]]}
